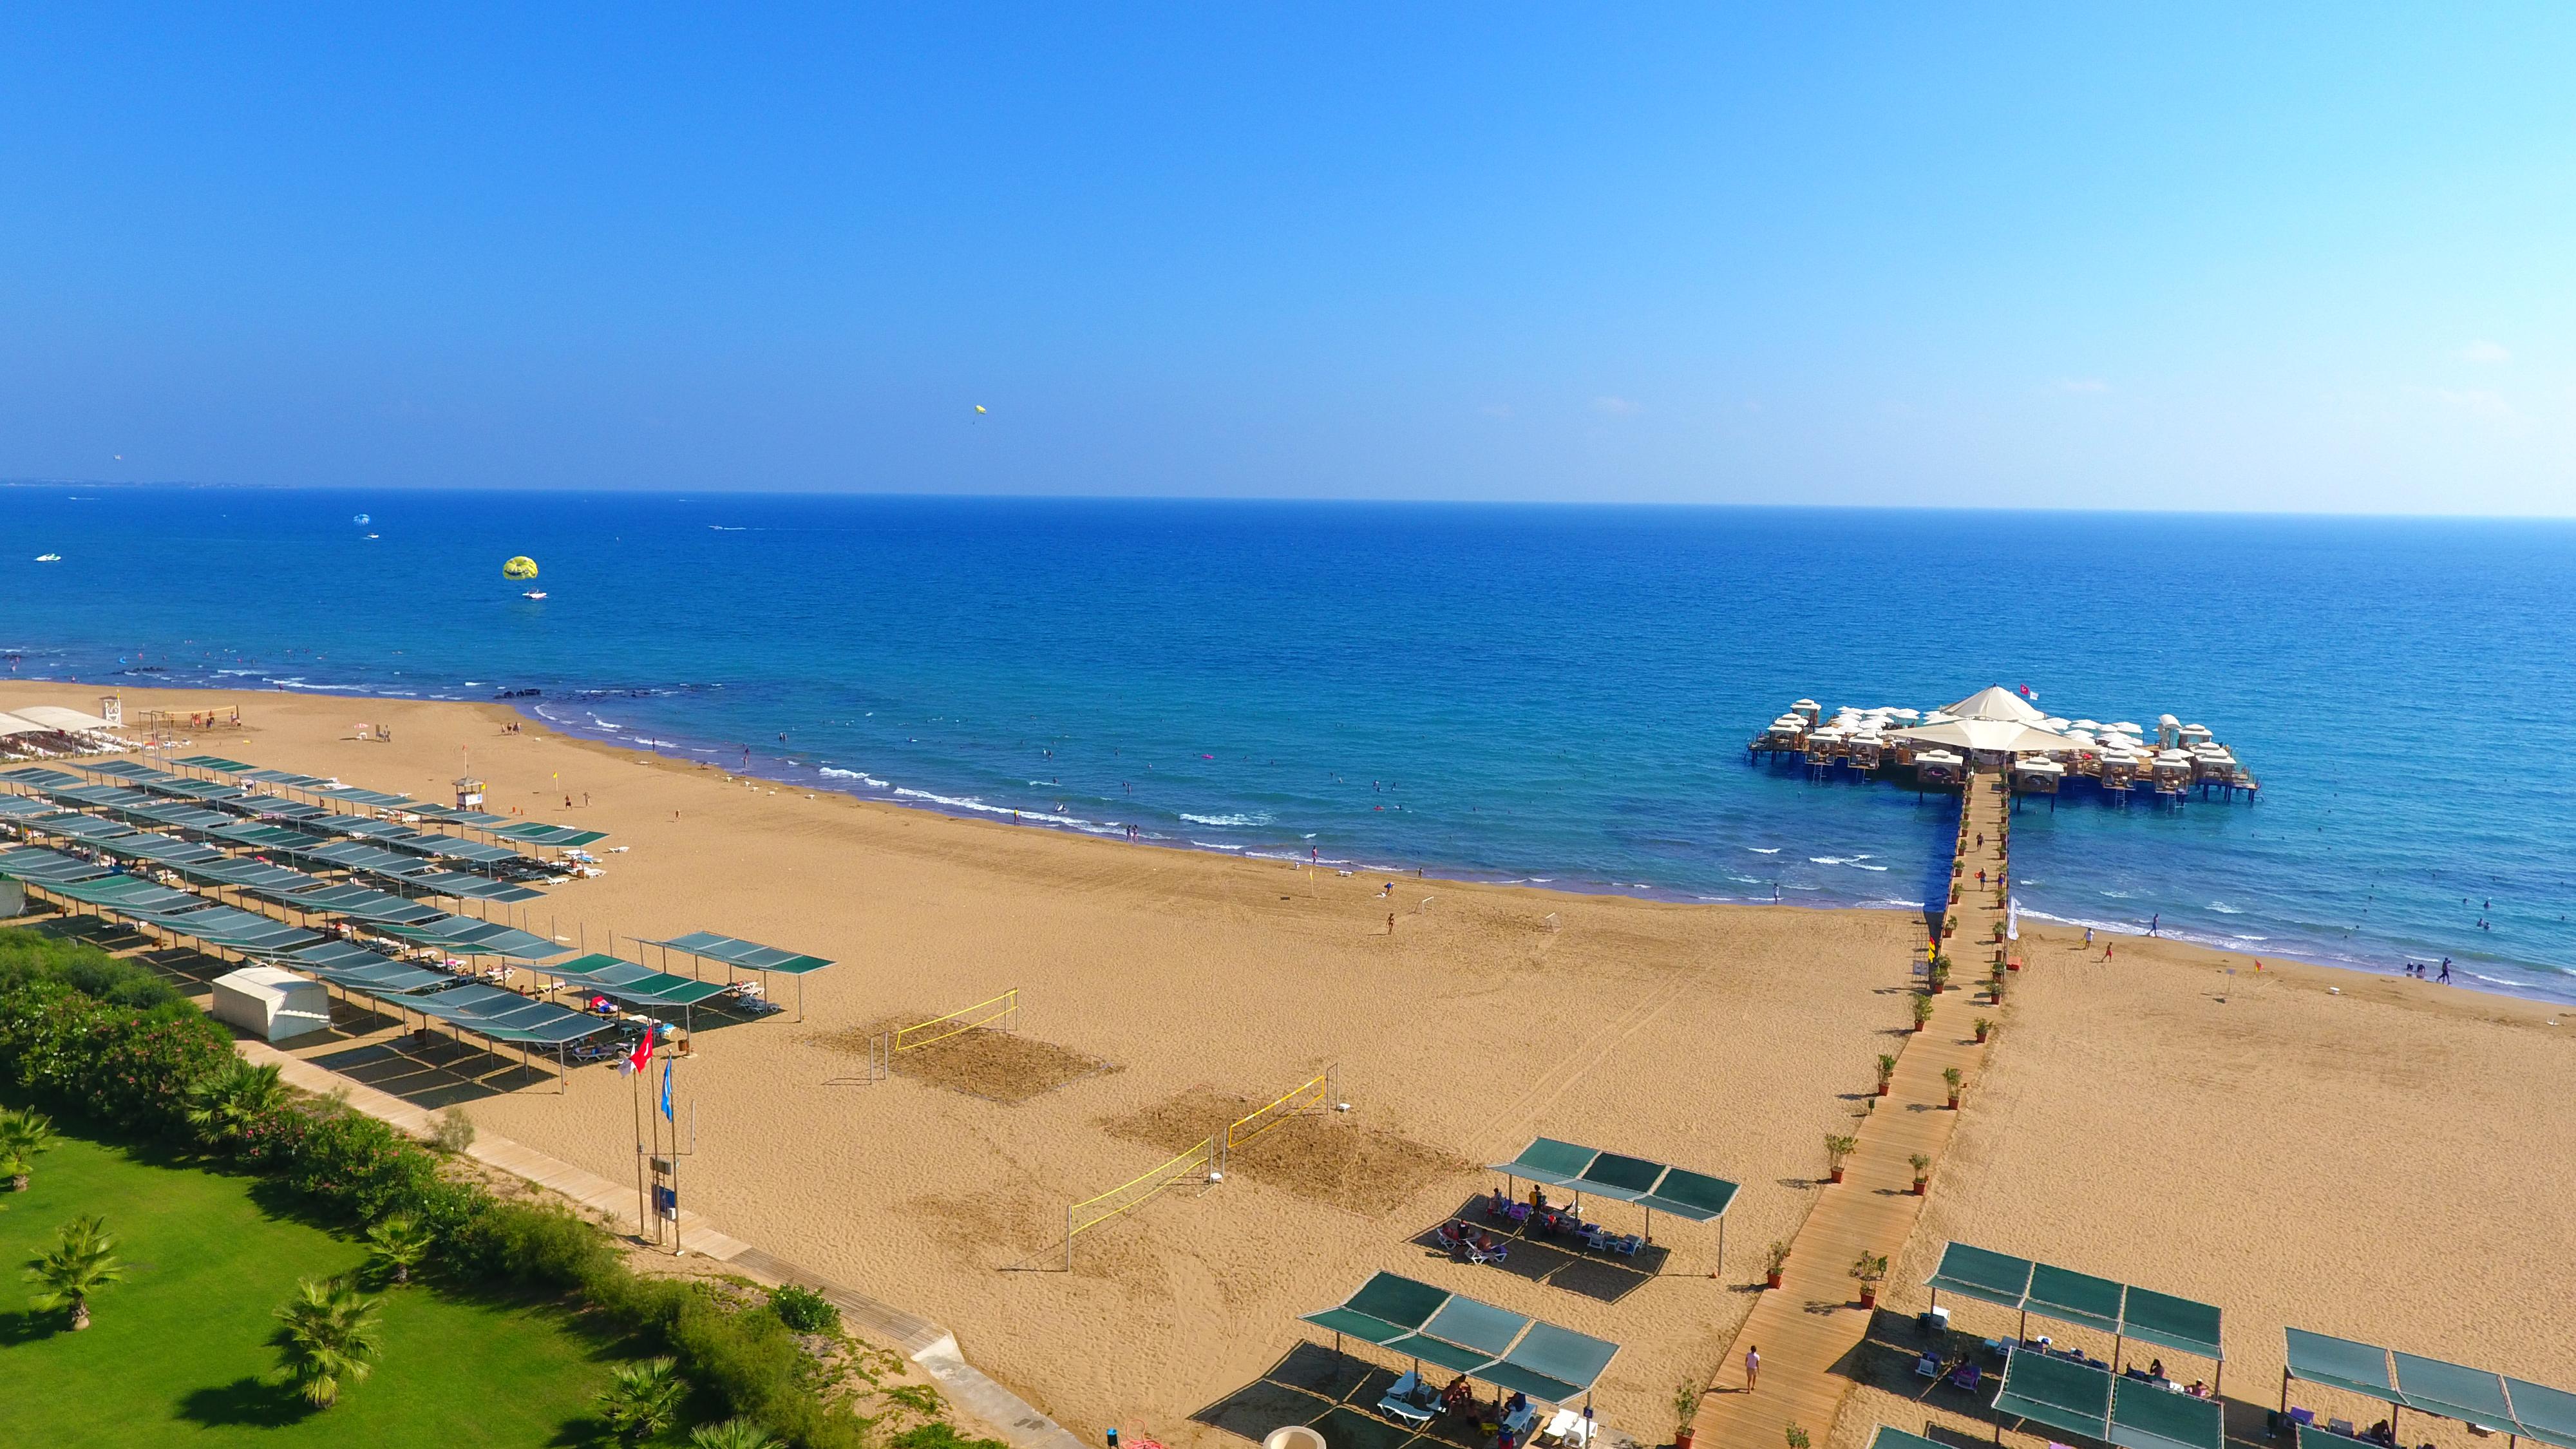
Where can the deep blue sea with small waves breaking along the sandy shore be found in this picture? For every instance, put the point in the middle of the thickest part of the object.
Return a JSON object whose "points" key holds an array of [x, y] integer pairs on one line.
{"points": [[1490, 692]]}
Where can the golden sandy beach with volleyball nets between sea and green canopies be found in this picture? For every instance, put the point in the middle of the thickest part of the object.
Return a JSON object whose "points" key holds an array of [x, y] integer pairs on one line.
{"points": [[2384, 1162]]}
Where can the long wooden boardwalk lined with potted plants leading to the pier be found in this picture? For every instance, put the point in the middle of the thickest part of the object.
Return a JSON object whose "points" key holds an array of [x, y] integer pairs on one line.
{"points": [[1810, 1329]]}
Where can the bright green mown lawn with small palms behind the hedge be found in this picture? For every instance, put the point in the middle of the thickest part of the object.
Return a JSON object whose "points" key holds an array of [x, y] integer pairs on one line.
{"points": [[182, 1350]]}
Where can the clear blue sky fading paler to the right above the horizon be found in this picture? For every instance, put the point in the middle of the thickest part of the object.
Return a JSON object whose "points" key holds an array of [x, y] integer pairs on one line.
{"points": [[2309, 259]]}
